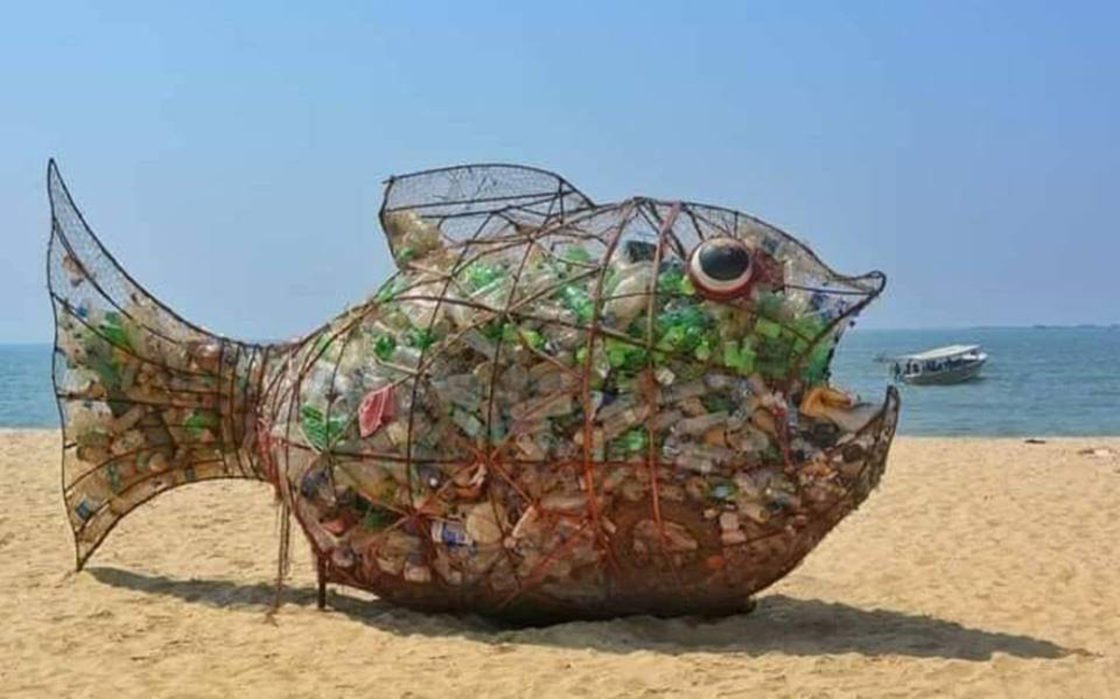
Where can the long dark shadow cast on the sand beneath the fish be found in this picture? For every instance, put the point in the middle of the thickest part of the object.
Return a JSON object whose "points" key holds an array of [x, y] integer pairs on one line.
{"points": [[779, 625]]}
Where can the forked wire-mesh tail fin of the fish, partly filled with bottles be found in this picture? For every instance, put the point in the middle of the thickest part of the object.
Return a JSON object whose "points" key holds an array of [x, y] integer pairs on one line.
{"points": [[148, 402]]}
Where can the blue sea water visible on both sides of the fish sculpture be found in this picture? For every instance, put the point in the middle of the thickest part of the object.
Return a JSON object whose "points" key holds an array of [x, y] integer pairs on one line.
{"points": [[1038, 383]]}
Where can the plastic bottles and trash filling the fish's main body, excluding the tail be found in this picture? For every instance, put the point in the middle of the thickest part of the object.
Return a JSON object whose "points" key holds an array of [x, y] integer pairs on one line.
{"points": [[558, 413]]}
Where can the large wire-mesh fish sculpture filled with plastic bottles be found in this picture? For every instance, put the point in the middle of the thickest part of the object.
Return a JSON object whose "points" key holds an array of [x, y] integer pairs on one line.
{"points": [[554, 409]]}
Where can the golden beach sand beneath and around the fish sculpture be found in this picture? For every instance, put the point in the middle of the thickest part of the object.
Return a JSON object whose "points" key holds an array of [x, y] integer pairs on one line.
{"points": [[983, 568]]}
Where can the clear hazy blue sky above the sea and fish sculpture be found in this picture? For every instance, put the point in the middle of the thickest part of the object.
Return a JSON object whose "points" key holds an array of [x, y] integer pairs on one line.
{"points": [[231, 155]]}
